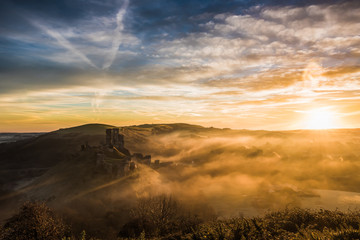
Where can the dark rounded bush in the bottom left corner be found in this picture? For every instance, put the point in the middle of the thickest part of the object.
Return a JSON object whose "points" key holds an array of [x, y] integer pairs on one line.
{"points": [[35, 221]]}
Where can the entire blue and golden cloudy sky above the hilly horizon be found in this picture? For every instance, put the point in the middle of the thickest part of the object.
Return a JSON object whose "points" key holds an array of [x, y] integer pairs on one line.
{"points": [[271, 64]]}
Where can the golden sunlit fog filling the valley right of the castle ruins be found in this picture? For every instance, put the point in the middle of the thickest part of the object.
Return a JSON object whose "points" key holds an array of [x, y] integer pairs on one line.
{"points": [[248, 173]]}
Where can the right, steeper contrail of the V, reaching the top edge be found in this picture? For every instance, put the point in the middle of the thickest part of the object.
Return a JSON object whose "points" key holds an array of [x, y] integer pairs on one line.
{"points": [[117, 36]]}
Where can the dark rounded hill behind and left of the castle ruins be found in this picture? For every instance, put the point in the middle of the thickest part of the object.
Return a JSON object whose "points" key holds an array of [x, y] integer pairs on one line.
{"points": [[27, 159]]}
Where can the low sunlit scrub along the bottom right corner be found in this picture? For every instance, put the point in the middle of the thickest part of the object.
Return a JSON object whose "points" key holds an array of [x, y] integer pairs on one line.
{"points": [[287, 224]]}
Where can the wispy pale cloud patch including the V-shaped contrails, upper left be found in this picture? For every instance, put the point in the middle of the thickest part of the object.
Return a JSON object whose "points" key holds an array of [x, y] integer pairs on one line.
{"points": [[93, 36]]}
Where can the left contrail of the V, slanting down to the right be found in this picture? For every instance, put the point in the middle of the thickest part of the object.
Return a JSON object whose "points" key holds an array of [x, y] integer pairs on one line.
{"points": [[63, 42]]}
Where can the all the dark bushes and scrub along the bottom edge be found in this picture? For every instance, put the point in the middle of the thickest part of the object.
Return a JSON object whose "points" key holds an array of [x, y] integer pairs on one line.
{"points": [[162, 217]]}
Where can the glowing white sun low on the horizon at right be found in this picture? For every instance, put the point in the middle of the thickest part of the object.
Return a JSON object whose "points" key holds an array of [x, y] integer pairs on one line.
{"points": [[321, 119]]}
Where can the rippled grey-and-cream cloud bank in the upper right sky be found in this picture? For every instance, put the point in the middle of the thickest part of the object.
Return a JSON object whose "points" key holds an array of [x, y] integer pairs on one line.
{"points": [[266, 41]]}
